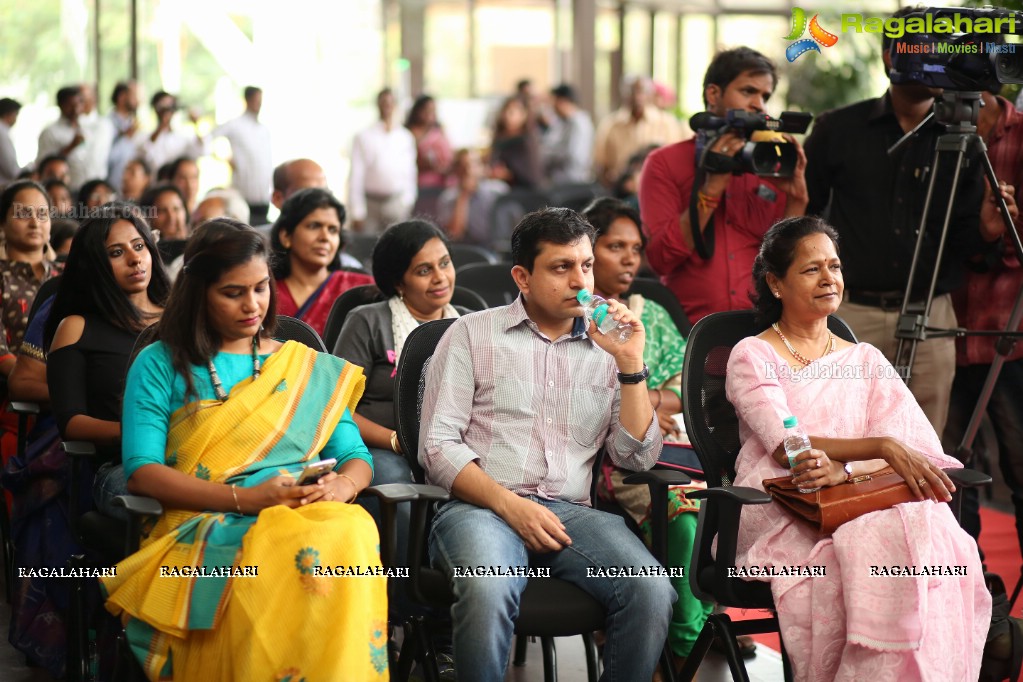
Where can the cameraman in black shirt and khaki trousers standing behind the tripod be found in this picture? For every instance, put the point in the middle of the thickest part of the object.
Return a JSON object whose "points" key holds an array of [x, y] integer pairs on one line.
{"points": [[875, 201]]}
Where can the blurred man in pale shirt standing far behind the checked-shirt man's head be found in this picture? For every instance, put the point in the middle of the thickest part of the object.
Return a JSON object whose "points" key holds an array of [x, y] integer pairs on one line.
{"points": [[568, 145]]}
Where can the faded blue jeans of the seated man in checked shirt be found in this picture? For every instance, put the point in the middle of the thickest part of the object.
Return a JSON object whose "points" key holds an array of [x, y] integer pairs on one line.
{"points": [[485, 610]]}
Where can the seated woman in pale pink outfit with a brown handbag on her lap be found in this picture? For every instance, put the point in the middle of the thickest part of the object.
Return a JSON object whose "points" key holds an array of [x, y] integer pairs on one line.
{"points": [[851, 623]]}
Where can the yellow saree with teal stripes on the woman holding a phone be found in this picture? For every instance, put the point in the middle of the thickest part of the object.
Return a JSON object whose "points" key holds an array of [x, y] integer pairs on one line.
{"points": [[265, 613]]}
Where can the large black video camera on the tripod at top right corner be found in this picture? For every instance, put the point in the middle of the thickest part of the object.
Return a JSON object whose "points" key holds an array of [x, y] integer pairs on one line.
{"points": [[957, 49]]}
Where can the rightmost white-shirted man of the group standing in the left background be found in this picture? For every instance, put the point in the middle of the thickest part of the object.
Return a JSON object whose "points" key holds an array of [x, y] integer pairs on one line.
{"points": [[251, 161]]}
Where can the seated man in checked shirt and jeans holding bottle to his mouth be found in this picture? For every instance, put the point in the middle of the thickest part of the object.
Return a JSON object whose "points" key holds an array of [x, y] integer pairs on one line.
{"points": [[519, 400]]}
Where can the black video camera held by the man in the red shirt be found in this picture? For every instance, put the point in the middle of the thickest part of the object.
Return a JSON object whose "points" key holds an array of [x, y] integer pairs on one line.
{"points": [[774, 159]]}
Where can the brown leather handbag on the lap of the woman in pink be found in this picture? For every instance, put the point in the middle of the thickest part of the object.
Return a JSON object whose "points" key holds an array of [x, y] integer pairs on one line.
{"points": [[830, 508]]}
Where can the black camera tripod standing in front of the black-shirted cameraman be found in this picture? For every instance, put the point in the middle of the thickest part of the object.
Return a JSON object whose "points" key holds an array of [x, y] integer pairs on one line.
{"points": [[959, 111]]}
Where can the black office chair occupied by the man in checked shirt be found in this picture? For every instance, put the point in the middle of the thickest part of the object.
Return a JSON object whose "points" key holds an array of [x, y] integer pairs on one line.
{"points": [[550, 608]]}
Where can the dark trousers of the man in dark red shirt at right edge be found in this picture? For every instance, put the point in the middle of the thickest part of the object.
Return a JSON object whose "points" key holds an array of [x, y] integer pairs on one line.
{"points": [[1007, 418]]}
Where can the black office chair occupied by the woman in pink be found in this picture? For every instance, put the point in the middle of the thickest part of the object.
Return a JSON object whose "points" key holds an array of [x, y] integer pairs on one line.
{"points": [[714, 429]]}
